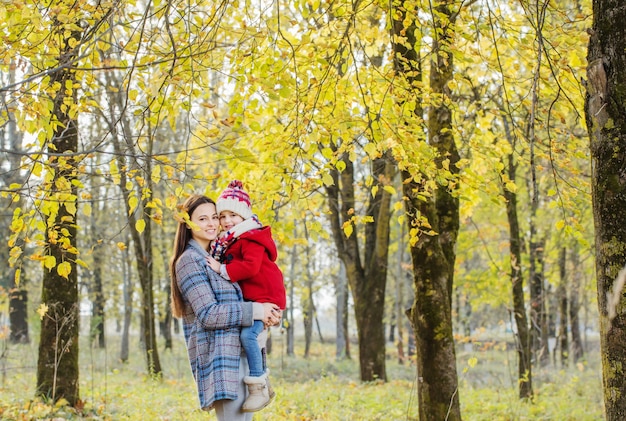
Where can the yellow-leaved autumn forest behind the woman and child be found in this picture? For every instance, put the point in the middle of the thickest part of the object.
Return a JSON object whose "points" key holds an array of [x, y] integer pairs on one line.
{"points": [[424, 156]]}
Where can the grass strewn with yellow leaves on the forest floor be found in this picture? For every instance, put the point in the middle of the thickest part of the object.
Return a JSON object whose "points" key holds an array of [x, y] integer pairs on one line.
{"points": [[317, 388]]}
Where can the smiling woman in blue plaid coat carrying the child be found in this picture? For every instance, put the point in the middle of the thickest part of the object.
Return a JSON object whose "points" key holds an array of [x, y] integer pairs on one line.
{"points": [[213, 313]]}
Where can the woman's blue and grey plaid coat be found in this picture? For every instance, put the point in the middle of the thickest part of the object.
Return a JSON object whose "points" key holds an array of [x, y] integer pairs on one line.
{"points": [[213, 316]]}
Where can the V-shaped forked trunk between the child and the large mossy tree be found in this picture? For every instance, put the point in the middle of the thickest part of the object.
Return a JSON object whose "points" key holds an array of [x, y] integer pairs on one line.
{"points": [[367, 281]]}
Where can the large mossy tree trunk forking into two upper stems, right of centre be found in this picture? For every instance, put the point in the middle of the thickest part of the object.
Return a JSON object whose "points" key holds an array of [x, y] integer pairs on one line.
{"points": [[433, 255]]}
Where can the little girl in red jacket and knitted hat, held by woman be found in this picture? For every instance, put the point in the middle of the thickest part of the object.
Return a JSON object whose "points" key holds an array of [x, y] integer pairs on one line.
{"points": [[246, 253]]}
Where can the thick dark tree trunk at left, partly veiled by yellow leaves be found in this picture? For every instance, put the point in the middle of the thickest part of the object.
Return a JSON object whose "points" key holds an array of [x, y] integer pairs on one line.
{"points": [[57, 366]]}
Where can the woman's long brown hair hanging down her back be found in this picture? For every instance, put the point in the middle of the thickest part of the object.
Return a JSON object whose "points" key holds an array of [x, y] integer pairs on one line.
{"points": [[183, 235]]}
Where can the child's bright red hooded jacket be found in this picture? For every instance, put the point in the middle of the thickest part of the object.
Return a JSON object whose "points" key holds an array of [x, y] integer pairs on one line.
{"points": [[251, 261]]}
